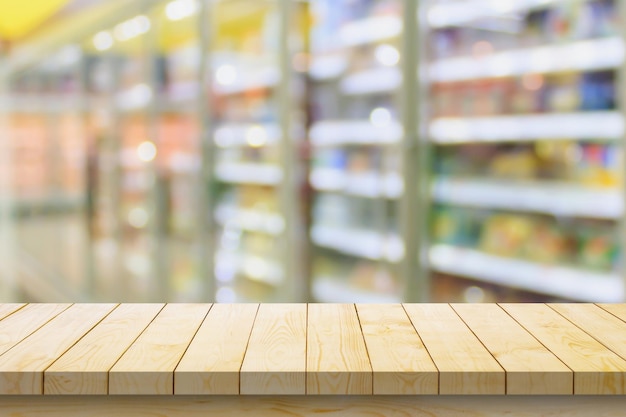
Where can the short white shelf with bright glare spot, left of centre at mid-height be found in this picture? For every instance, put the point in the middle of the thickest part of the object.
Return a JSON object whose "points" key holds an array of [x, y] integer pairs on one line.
{"points": [[247, 134]]}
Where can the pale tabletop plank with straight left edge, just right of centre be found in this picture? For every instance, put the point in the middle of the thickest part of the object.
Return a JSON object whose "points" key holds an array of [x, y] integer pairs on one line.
{"points": [[337, 360]]}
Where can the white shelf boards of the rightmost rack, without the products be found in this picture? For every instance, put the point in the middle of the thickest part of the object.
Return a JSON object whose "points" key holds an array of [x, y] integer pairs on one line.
{"points": [[544, 197]]}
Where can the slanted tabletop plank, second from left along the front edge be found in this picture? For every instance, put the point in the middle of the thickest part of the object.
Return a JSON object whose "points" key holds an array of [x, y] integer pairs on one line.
{"points": [[84, 368]]}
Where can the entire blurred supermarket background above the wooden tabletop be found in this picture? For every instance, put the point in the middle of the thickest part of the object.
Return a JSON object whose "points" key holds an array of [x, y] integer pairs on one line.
{"points": [[321, 150]]}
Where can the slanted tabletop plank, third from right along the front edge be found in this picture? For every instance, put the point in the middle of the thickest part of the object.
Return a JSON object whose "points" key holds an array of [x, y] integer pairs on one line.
{"points": [[465, 366]]}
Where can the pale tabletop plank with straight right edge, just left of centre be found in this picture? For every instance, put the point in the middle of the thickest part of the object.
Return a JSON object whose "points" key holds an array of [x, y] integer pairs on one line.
{"points": [[275, 361]]}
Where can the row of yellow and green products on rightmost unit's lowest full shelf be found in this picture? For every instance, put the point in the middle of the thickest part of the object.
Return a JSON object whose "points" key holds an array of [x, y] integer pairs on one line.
{"points": [[586, 244]]}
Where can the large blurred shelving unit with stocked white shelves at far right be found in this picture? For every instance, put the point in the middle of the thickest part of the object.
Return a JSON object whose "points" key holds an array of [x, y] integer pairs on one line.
{"points": [[526, 125]]}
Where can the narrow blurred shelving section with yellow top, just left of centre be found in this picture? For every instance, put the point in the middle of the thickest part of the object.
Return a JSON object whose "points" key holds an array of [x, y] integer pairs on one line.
{"points": [[255, 135]]}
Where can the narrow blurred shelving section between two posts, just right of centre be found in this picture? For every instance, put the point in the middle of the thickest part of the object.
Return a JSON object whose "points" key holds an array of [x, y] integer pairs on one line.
{"points": [[355, 136]]}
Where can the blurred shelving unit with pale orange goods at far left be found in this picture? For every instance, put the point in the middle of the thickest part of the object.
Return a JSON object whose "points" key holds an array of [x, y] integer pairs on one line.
{"points": [[44, 123]]}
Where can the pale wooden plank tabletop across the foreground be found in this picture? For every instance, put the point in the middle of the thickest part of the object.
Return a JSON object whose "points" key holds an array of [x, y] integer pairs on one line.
{"points": [[296, 349]]}
